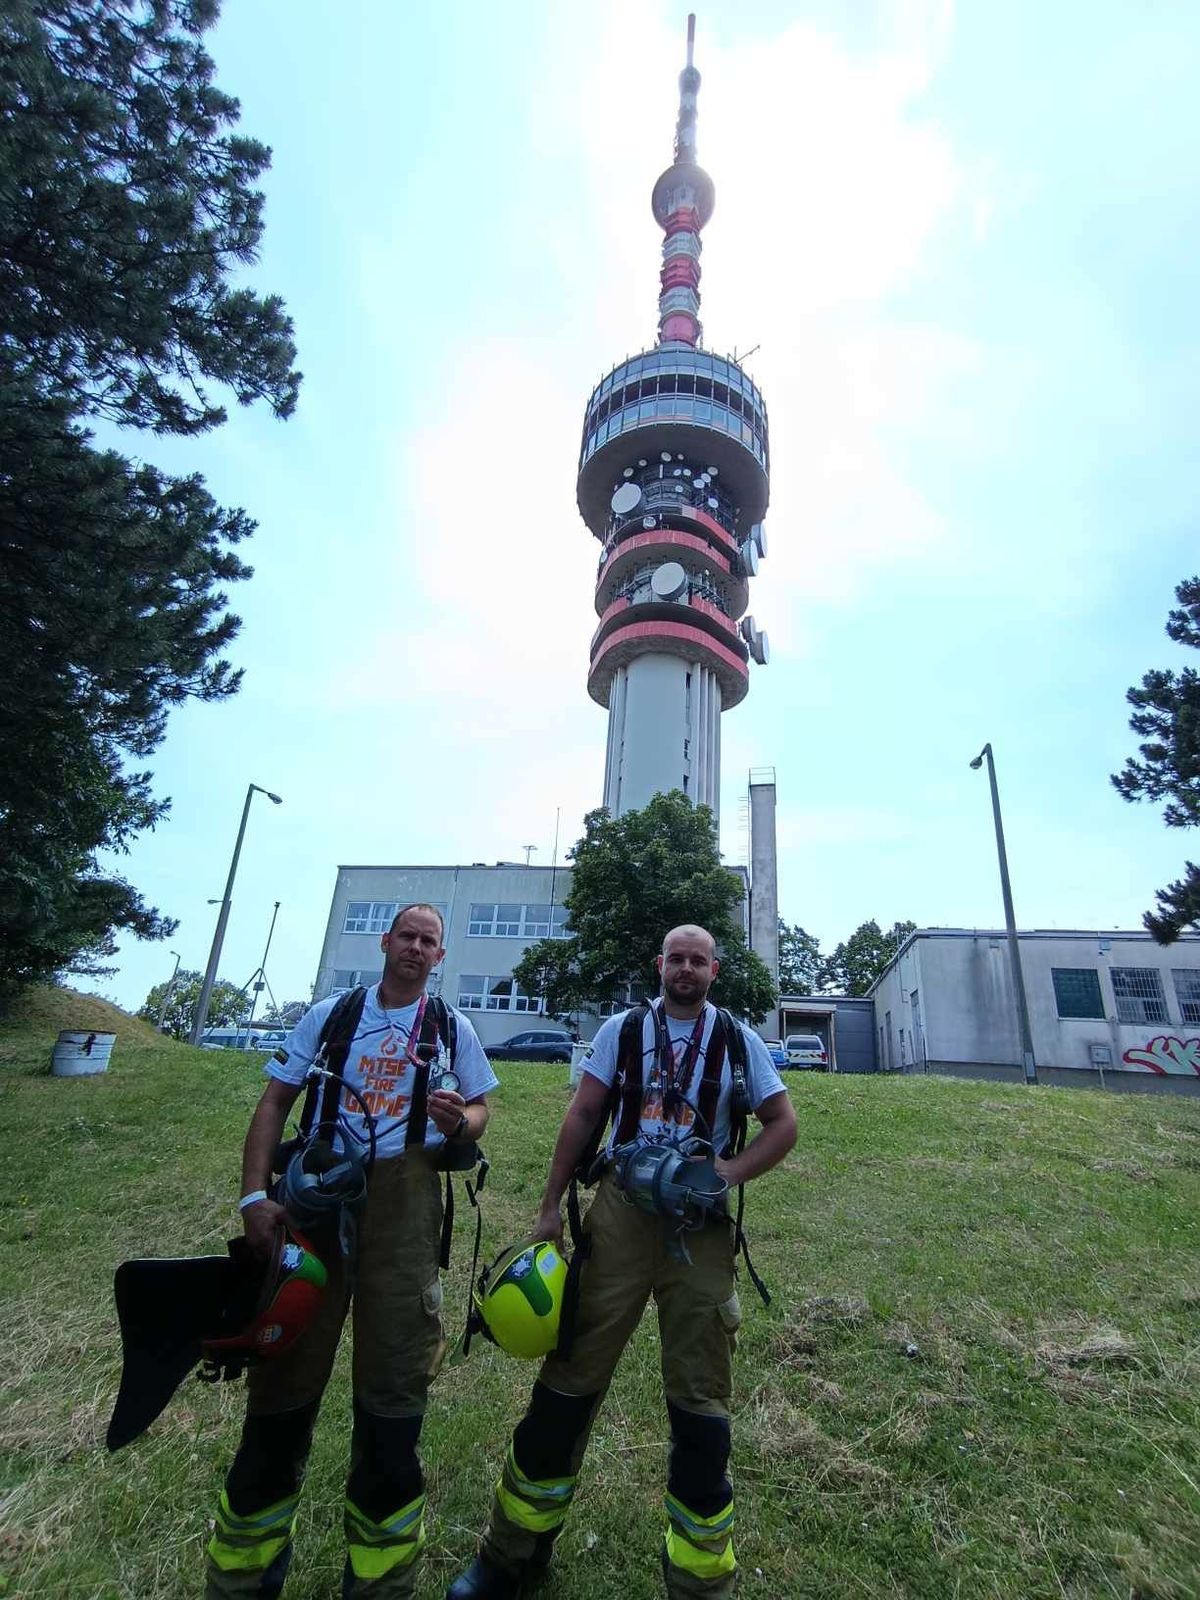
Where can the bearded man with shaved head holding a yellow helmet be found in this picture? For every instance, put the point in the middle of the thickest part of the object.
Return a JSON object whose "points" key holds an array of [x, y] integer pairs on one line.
{"points": [[665, 1073]]}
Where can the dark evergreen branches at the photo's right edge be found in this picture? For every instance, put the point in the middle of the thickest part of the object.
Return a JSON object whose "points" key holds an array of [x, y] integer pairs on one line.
{"points": [[1167, 716]]}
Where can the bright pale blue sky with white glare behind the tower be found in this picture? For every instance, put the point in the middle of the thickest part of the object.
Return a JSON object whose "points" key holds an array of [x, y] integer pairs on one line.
{"points": [[964, 241]]}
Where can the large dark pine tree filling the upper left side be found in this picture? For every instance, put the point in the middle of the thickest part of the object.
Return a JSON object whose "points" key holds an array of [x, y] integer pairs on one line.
{"points": [[127, 210]]}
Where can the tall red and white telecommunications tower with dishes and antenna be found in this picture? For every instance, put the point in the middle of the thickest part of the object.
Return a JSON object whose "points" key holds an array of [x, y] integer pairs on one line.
{"points": [[674, 479]]}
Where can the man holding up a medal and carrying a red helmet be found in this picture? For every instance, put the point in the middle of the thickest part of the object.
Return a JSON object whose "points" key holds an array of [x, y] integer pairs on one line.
{"points": [[393, 1279]]}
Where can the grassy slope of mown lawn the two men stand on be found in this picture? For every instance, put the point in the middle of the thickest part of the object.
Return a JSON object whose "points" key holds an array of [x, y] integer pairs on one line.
{"points": [[980, 1374]]}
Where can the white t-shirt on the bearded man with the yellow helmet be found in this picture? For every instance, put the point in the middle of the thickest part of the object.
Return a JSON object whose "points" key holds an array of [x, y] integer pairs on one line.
{"points": [[762, 1081]]}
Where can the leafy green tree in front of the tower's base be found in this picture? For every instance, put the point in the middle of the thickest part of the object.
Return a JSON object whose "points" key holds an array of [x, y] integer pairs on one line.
{"points": [[636, 878]]}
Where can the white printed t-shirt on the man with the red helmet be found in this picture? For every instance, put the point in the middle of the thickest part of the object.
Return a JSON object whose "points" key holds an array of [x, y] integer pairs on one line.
{"points": [[378, 1066]]}
